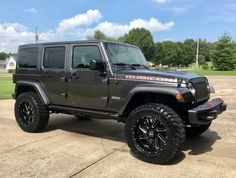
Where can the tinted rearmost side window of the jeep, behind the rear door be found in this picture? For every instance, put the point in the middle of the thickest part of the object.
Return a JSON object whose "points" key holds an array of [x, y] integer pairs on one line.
{"points": [[28, 57]]}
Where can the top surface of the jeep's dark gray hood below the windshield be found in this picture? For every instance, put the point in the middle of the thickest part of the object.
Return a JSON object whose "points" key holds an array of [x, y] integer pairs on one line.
{"points": [[172, 74]]}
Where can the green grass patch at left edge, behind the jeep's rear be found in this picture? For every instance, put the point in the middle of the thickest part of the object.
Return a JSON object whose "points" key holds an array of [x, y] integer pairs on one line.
{"points": [[6, 87]]}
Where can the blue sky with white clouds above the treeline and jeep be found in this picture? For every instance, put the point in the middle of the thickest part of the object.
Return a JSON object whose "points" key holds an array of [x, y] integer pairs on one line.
{"points": [[75, 19]]}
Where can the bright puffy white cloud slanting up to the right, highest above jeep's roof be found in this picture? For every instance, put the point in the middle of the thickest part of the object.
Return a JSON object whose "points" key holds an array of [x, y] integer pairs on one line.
{"points": [[88, 18]]}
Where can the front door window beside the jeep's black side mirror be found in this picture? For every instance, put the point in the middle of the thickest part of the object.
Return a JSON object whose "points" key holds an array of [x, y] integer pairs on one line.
{"points": [[82, 55]]}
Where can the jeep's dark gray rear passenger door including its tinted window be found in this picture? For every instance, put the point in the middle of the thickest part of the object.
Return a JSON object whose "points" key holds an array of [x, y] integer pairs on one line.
{"points": [[53, 72]]}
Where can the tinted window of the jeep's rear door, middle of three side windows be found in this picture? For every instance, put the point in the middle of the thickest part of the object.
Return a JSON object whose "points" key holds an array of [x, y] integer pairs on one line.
{"points": [[54, 57]]}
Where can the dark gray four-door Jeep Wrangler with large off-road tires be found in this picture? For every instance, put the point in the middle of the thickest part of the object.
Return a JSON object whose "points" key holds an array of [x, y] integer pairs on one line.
{"points": [[99, 79]]}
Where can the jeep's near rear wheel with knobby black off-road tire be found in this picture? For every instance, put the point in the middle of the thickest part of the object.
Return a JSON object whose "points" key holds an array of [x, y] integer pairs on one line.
{"points": [[39, 114]]}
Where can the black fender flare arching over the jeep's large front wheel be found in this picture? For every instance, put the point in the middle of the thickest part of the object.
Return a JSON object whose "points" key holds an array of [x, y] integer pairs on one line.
{"points": [[172, 91]]}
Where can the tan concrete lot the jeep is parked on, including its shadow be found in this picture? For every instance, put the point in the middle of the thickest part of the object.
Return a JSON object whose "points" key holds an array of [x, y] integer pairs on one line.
{"points": [[97, 148]]}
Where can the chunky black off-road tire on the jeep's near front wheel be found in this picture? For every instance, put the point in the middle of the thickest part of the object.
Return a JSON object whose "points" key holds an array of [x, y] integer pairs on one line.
{"points": [[169, 119]]}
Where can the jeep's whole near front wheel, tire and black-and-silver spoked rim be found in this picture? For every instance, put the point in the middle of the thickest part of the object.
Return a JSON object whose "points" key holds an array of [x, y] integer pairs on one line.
{"points": [[154, 133]]}
